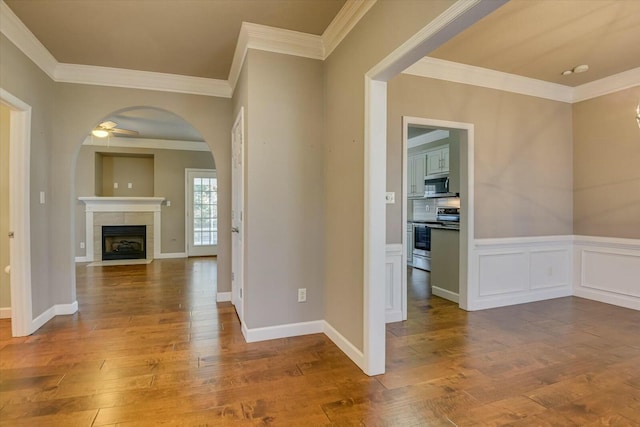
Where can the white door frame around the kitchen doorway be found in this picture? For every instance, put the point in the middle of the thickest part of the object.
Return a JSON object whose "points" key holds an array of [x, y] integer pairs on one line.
{"points": [[466, 200]]}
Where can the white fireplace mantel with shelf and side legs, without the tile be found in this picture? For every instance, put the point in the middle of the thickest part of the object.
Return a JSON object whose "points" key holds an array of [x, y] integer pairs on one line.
{"points": [[130, 206]]}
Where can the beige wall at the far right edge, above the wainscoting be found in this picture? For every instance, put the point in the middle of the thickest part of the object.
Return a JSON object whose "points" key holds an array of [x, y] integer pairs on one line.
{"points": [[607, 166]]}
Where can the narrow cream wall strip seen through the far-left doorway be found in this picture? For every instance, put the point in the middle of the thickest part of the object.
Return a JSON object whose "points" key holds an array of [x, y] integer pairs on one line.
{"points": [[5, 283]]}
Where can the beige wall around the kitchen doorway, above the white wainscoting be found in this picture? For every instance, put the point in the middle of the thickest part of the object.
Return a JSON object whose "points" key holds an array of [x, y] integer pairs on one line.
{"points": [[523, 154]]}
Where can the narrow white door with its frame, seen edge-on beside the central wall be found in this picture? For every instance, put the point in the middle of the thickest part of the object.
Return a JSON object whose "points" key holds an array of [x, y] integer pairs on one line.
{"points": [[237, 249]]}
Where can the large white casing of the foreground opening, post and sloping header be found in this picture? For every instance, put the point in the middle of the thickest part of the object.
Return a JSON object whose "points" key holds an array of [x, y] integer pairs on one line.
{"points": [[461, 15]]}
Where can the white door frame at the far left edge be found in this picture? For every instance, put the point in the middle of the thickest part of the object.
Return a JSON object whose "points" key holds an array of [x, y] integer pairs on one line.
{"points": [[19, 213]]}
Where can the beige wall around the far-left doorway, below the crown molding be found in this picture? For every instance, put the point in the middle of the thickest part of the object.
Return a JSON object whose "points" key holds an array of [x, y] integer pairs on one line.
{"points": [[20, 77]]}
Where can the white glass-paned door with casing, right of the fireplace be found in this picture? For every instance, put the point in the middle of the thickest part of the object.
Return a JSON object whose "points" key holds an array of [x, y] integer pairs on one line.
{"points": [[201, 204]]}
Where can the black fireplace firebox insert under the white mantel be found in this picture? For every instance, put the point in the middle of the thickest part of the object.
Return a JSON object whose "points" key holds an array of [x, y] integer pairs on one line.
{"points": [[124, 242]]}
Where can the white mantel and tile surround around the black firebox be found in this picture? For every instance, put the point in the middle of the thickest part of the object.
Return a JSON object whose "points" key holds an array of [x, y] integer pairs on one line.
{"points": [[121, 211]]}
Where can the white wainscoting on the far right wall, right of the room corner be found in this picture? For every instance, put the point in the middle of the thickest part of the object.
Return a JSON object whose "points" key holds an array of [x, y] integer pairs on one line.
{"points": [[608, 270]]}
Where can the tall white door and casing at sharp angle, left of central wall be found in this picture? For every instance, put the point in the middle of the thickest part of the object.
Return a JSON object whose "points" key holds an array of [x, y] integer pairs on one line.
{"points": [[237, 214]]}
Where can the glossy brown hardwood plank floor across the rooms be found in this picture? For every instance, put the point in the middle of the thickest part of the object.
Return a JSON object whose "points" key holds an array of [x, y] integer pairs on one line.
{"points": [[150, 346]]}
